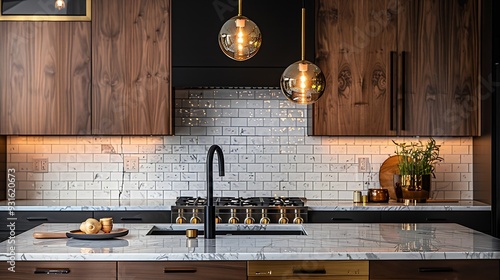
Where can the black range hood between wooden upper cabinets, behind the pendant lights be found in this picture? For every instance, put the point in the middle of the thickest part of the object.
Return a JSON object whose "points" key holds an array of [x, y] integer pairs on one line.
{"points": [[197, 60]]}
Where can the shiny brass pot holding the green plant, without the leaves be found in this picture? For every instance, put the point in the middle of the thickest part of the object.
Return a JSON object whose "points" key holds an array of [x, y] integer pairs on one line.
{"points": [[415, 188]]}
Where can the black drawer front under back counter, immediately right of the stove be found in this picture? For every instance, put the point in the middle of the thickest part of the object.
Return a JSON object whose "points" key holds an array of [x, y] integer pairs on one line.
{"points": [[343, 216]]}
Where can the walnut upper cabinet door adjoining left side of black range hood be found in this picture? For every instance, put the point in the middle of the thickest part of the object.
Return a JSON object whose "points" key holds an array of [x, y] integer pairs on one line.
{"points": [[131, 92]]}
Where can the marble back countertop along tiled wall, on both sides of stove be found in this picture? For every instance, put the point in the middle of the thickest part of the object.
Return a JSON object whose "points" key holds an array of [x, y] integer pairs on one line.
{"points": [[162, 205]]}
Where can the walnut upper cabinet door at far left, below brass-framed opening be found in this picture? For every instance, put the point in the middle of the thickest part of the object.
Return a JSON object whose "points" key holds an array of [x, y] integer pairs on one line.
{"points": [[45, 78]]}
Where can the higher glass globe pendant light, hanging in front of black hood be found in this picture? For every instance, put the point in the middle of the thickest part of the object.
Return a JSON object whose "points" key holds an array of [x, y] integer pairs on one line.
{"points": [[239, 37]]}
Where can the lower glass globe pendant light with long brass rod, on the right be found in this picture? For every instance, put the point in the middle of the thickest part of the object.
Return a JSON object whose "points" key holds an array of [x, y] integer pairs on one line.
{"points": [[303, 82]]}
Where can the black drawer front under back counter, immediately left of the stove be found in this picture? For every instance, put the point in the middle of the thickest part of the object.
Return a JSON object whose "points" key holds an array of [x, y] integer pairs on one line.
{"points": [[135, 216]]}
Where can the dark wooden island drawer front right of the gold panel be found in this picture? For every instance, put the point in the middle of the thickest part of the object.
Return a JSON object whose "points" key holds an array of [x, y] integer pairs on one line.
{"points": [[435, 269]]}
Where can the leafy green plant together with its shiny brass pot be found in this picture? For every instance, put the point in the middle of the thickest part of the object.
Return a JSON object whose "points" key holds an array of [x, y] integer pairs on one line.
{"points": [[416, 165]]}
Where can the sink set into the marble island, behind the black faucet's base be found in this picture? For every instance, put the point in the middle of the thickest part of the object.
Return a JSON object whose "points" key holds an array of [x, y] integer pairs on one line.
{"points": [[229, 229]]}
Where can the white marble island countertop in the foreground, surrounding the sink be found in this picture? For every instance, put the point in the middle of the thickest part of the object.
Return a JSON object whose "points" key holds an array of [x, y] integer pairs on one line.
{"points": [[322, 242]]}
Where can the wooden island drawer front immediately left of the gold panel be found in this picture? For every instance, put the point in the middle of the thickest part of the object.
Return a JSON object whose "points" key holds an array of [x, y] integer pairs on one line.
{"points": [[209, 270]]}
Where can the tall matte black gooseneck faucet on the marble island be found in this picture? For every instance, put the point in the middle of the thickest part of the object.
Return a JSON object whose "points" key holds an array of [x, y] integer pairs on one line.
{"points": [[209, 225]]}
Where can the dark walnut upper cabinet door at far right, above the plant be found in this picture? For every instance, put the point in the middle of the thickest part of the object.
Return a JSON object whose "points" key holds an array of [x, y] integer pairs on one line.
{"points": [[439, 56]]}
